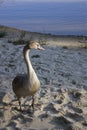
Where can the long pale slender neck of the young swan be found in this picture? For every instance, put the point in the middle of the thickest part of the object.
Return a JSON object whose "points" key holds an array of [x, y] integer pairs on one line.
{"points": [[30, 69]]}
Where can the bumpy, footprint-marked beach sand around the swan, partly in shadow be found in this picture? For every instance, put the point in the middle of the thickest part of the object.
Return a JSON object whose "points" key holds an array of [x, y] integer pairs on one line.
{"points": [[61, 103]]}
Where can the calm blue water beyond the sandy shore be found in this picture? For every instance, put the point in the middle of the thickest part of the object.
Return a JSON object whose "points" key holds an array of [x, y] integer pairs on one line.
{"points": [[63, 18]]}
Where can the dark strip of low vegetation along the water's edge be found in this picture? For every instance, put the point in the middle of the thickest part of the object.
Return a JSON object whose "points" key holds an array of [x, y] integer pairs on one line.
{"points": [[42, 37]]}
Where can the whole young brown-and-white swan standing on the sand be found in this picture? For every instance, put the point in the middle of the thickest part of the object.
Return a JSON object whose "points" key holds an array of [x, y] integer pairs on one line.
{"points": [[27, 84]]}
